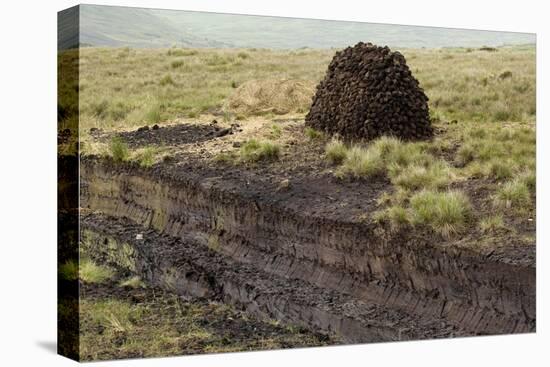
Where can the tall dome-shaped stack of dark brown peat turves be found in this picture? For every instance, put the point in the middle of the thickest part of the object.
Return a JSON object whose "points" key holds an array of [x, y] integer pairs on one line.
{"points": [[369, 91]]}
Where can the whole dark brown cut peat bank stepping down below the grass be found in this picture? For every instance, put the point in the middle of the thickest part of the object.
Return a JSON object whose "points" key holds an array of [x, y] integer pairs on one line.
{"points": [[309, 254]]}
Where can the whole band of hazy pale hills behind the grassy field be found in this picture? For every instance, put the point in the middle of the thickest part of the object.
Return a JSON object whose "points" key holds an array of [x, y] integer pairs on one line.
{"points": [[137, 27]]}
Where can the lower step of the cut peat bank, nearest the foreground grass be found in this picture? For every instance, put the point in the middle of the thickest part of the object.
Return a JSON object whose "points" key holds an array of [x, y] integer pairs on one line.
{"points": [[186, 268]]}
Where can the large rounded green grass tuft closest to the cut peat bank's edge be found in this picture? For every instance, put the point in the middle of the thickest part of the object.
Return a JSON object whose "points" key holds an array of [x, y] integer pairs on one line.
{"points": [[446, 213]]}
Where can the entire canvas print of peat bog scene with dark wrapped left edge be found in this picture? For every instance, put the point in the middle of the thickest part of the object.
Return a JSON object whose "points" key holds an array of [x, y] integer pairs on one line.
{"points": [[232, 183]]}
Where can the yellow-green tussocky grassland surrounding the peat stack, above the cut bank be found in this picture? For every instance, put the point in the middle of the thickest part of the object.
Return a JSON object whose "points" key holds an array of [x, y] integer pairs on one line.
{"points": [[482, 103]]}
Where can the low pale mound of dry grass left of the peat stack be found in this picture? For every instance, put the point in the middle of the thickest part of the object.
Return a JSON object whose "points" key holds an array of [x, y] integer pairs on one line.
{"points": [[280, 96]]}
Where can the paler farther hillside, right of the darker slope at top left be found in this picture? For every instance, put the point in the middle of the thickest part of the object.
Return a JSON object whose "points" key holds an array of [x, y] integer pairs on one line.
{"points": [[277, 32]]}
